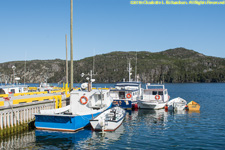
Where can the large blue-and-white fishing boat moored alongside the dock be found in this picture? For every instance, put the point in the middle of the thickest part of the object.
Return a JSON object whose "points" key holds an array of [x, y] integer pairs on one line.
{"points": [[85, 104]]}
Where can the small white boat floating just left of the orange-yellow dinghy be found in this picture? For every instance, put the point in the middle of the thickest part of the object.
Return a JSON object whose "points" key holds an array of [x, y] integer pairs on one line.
{"points": [[177, 104]]}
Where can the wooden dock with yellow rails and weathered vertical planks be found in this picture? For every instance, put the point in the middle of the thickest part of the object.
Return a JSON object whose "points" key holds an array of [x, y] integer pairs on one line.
{"points": [[17, 112]]}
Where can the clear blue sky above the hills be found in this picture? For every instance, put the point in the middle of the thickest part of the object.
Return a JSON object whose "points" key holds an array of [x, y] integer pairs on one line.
{"points": [[36, 29]]}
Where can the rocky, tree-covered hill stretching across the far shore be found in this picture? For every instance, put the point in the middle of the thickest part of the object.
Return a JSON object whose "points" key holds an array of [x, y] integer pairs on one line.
{"points": [[172, 66]]}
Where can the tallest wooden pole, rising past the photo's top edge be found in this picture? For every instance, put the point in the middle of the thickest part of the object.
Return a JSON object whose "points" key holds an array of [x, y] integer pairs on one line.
{"points": [[71, 43]]}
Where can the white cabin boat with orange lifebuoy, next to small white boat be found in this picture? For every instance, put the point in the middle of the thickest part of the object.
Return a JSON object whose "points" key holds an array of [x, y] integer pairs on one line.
{"points": [[155, 96]]}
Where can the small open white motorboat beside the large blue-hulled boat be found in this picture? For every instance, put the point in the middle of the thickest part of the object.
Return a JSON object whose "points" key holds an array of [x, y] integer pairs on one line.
{"points": [[108, 120]]}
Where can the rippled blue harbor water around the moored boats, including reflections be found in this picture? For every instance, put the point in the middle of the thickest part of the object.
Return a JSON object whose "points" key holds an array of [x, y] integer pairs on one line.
{"points": [[146, 129]]}
